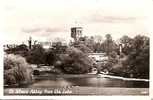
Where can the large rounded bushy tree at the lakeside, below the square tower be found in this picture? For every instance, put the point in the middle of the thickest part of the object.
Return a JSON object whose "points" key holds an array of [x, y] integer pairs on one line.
{"points": [[75, 61]]}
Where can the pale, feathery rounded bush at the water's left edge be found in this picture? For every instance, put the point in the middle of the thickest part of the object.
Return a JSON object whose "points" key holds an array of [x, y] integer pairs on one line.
{"points": [[16, 70]]}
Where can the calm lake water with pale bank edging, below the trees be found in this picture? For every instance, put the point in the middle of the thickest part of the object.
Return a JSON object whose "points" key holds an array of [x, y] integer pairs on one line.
{"points": [[91, 80]]}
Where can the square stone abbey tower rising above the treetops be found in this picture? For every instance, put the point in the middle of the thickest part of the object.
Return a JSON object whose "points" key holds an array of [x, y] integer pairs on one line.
{"points": [[76, 33]]}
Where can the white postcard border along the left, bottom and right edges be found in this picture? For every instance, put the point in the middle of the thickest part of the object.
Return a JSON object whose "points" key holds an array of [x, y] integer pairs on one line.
{"points": [[150, 27]]}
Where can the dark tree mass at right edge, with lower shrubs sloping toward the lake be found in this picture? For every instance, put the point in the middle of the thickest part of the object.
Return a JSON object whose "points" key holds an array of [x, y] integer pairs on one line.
{"points": [[136, 61]]}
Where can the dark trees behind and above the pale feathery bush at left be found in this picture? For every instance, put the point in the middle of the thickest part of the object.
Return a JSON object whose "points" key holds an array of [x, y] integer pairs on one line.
{"points": [[36, 55]]}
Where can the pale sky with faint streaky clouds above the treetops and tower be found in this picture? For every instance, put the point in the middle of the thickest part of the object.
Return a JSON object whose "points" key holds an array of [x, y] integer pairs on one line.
{"points": [[46, 20]]}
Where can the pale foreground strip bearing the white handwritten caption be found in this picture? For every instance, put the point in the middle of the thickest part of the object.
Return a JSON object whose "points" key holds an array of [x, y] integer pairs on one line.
{"points": [[77, 91]]}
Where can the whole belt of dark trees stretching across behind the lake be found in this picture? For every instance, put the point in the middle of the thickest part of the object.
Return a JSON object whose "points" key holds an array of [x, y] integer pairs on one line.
{"points": [[132, 61]]}
